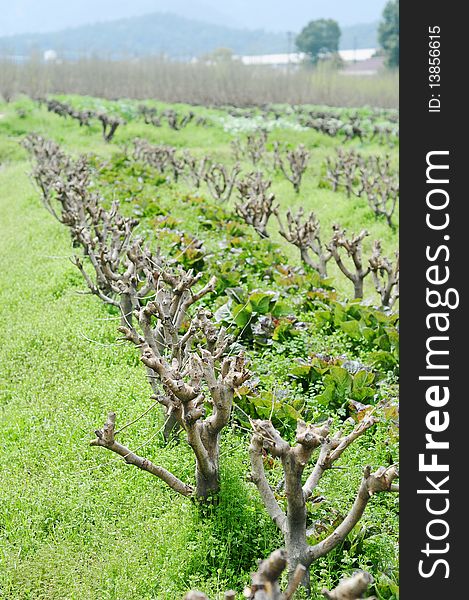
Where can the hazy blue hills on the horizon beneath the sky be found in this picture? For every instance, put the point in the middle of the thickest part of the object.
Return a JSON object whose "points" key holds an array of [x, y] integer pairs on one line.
{"points": [[168, 34]]}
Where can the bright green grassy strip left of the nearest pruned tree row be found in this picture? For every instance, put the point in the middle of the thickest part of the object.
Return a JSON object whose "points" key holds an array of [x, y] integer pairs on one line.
{"points": [[70, 527]]}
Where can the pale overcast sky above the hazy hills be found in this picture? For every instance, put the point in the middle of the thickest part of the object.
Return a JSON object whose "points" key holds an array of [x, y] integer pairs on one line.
{"points": [[26, 16]]}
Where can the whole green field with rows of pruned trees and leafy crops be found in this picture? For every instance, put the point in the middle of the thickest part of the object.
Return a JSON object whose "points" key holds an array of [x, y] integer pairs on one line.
{"points": [[221, 279]]}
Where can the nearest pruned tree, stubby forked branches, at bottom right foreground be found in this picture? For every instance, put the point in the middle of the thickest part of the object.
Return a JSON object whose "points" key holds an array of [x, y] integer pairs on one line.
{"points": [[301, 480]]}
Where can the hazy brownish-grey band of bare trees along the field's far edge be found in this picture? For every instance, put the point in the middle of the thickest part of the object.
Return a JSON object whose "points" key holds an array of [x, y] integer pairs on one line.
{"points": [[204, 84]]}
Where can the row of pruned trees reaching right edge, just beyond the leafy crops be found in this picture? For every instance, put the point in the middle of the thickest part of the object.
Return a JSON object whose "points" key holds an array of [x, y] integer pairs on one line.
{"points": [[256, 204]]}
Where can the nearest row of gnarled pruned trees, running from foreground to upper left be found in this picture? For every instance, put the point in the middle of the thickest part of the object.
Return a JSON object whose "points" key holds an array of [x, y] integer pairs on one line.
{"points": [[193, 367]]}
